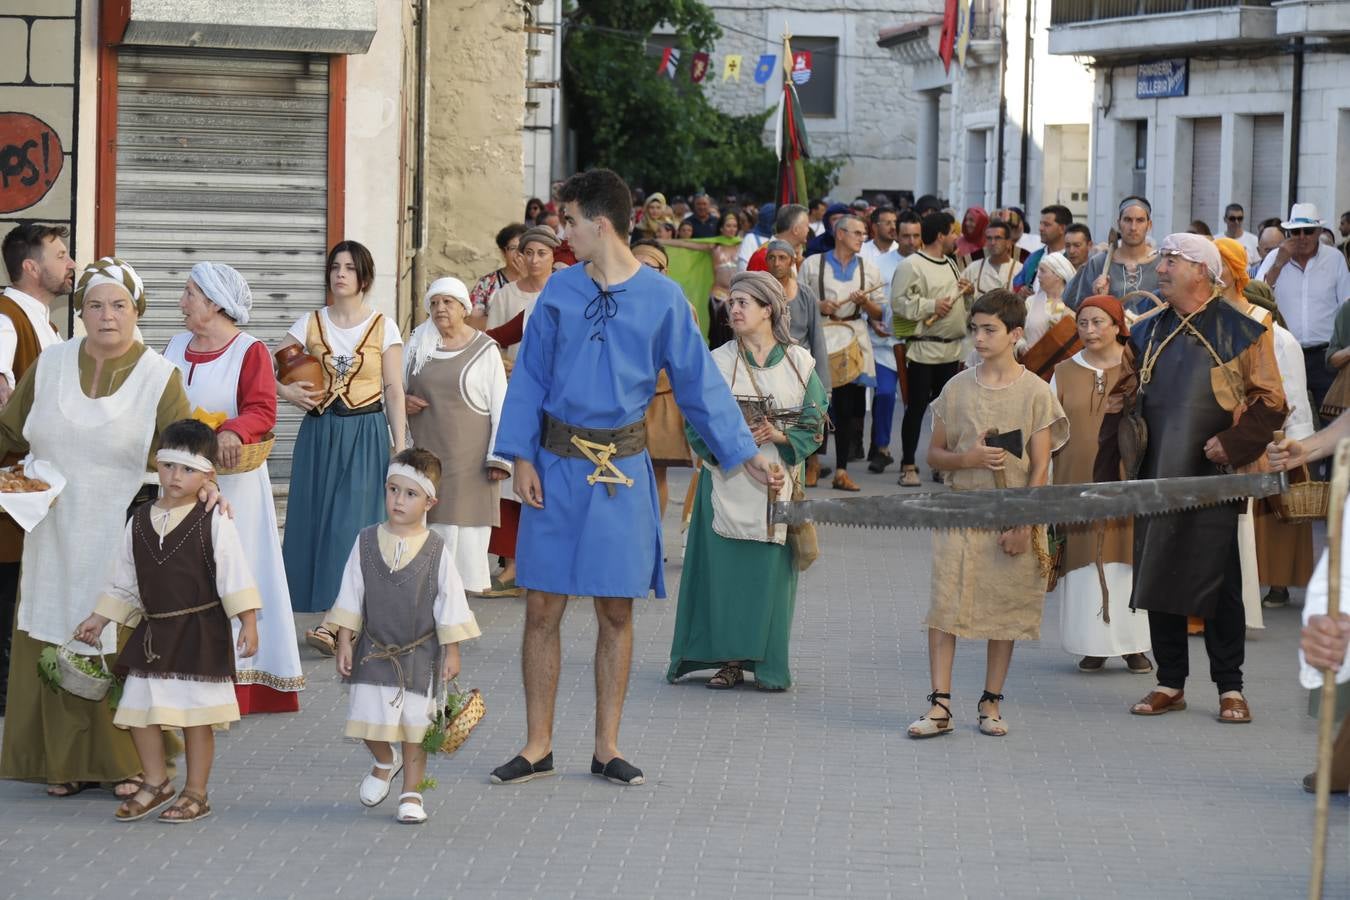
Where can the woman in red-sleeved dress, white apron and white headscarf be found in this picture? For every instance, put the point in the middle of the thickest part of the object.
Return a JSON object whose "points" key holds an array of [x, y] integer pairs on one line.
{"points": [[229, 374]]}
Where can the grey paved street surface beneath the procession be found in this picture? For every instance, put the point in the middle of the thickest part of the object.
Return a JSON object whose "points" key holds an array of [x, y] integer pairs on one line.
{"points": [[813, 793]]}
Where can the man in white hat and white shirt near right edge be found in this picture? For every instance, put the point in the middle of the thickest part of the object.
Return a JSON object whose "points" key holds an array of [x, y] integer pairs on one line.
{"points": [[1310, 283]]}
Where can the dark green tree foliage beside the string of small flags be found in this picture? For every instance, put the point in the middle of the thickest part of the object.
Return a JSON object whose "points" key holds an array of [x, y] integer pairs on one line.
{"points": [[658, 133]]}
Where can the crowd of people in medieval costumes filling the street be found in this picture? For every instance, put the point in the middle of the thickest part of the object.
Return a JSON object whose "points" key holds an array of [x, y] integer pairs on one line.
{"points": [[573, 377]]}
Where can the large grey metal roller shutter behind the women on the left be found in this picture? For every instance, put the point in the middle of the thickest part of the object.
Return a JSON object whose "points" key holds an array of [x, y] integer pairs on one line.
{"points": [[222, 156]]}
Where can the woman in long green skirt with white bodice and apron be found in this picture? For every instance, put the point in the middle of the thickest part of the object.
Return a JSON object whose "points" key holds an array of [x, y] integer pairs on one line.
{"points": [[739, 585]]}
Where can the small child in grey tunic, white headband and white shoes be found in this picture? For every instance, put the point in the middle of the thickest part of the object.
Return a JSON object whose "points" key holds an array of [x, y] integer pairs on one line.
{"points": [[400, 616]]}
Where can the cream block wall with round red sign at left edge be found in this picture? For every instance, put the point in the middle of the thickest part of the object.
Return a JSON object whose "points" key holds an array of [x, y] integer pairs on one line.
{"points": [[38, 96]]}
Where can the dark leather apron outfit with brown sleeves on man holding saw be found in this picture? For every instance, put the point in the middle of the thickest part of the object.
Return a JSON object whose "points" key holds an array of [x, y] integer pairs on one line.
{"points": [[1189, 377]]}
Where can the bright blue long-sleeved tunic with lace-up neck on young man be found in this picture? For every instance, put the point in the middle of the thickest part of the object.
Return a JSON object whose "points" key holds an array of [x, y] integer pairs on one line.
{"points": [[591, 360]]}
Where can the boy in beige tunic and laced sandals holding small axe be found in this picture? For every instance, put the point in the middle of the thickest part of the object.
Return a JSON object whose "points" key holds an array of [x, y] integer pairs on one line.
{"points": [[989, 585]]}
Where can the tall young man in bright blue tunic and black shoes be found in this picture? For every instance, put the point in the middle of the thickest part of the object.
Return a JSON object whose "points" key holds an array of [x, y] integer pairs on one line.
{"points": [[573, 423]]}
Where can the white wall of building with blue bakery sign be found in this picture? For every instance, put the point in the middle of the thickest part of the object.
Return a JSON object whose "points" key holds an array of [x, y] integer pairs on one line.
{"points": [[1237, 91]]}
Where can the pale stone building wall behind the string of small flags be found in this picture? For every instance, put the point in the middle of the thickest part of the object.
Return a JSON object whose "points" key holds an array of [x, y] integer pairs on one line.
{"points": [[877, 109]]}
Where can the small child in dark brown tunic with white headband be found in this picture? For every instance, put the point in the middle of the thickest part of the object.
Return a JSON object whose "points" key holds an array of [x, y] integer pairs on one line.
{"points": [[180, 578]]}
